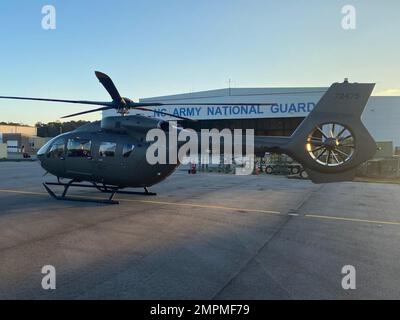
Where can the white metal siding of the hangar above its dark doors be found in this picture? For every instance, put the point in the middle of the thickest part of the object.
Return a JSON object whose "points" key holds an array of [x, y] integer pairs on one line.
{"points": [[381, 115]]}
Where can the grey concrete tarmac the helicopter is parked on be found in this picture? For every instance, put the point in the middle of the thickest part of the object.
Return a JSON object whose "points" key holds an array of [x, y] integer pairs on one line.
{"points": [[204, 236]]}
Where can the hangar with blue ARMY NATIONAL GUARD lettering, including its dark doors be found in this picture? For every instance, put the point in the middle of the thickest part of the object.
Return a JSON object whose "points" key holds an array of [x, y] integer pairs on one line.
{"points": [[381, 115]]}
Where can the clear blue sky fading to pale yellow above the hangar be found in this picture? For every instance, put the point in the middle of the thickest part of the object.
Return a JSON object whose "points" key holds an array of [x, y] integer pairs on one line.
{"points": [[159, 47]]}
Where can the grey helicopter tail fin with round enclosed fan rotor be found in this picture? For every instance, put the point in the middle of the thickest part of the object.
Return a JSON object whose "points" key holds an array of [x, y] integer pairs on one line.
{"points": [[332, 141]]}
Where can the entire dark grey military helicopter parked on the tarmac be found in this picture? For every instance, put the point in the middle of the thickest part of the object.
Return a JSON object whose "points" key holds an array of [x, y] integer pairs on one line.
{"points": [[110, 155]]}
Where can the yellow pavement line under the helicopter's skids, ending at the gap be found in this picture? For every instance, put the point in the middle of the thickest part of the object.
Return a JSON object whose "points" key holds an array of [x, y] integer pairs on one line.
{"points": [[191, 205]]}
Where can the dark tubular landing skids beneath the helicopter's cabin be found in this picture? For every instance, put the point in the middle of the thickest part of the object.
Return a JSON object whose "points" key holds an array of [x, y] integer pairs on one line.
{"points": [[103, 188]]}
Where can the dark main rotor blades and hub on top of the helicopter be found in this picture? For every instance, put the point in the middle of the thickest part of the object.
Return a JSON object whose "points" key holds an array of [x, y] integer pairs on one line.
{"points": [[121, 104]]}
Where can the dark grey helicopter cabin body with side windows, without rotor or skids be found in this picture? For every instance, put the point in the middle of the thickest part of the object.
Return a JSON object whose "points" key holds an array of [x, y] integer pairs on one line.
{"points": [[96, 155]]}
